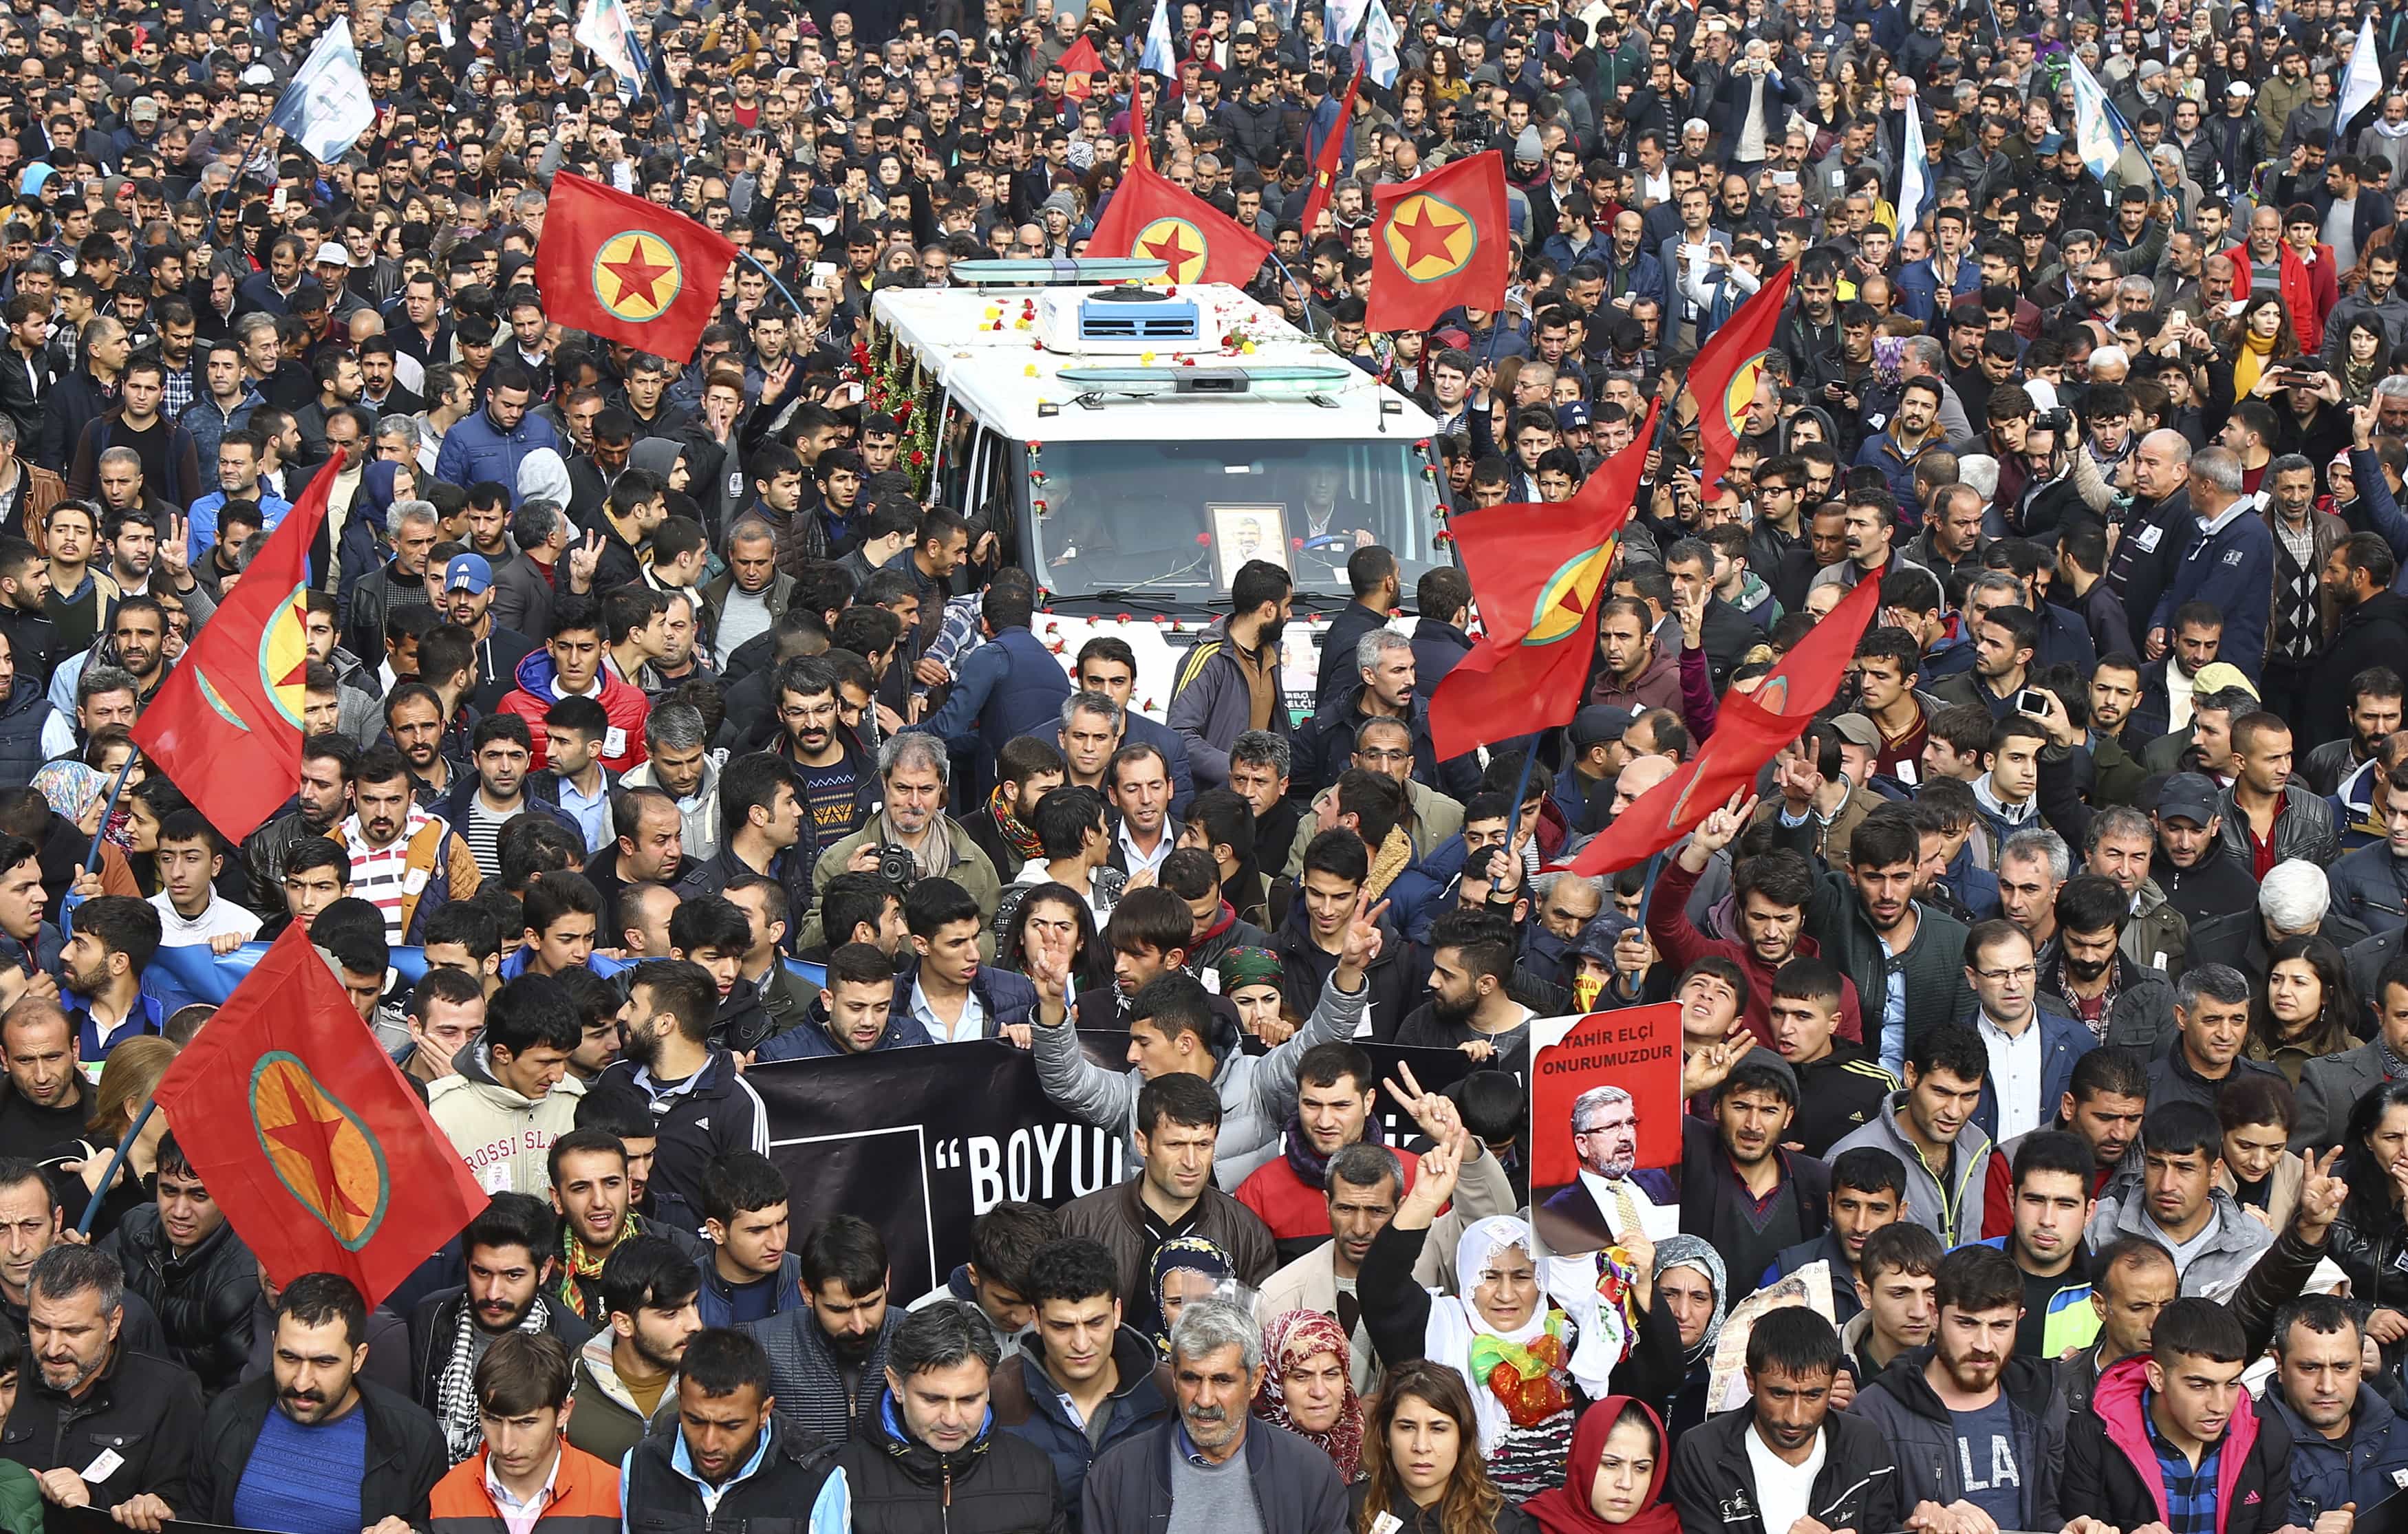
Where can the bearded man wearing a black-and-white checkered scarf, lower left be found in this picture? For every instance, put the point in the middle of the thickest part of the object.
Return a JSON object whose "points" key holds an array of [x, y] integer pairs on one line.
{"points": [[509, 1256]]}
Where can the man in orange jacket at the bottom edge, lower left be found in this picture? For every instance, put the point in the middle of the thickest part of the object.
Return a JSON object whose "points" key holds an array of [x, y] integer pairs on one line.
{"points": [[526, 1475]]}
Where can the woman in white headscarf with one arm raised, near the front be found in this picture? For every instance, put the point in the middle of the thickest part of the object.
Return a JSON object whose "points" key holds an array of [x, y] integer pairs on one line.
{"points": [[1525, 1331]]}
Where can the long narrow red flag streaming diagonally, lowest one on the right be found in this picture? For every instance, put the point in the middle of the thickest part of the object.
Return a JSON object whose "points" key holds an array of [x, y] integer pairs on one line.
{"points": [[1749, 731]]}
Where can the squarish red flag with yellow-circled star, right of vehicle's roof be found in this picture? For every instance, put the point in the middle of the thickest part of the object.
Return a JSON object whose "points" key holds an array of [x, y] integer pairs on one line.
{"points": [[1439, 242]]}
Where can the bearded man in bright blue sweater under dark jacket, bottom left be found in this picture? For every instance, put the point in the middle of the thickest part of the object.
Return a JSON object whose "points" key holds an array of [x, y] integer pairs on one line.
{"points": [[278, 1446]]}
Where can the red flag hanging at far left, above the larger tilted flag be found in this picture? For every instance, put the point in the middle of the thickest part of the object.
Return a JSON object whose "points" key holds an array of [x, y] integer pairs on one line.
{"points": [[228, 724]]}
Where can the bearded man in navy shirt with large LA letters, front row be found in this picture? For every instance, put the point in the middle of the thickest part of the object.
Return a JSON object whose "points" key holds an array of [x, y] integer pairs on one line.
{"points": [[1969, 1417]]}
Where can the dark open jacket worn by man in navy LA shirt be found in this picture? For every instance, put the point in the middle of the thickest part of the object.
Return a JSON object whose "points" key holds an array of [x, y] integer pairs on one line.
{"points": [[1925, 1444]]}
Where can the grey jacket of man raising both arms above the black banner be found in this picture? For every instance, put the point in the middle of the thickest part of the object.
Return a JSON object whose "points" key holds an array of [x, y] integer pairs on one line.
{"points": [[1258, 1092]]}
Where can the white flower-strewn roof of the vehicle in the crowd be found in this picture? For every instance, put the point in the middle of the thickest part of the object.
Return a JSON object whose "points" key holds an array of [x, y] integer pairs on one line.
{"points": [[1005, 374]]}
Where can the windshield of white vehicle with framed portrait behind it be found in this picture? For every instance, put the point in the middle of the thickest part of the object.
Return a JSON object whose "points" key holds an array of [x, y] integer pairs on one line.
{"points": [[1181, 519]]}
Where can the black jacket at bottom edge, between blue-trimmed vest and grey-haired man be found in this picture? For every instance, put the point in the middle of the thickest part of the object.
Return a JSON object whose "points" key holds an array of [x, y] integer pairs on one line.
{"points": [[996, 1485]]}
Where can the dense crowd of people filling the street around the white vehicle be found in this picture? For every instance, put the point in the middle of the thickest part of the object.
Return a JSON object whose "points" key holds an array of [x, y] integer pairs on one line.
{"points": [[2046, 1017]]}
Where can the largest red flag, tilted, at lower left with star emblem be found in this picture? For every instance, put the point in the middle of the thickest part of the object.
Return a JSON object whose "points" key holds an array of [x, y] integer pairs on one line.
{"points": [[307, 1135]]}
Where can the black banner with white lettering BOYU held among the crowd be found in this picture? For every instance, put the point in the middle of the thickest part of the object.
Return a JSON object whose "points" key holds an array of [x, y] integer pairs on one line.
{"points": [[921, 1143]]}
